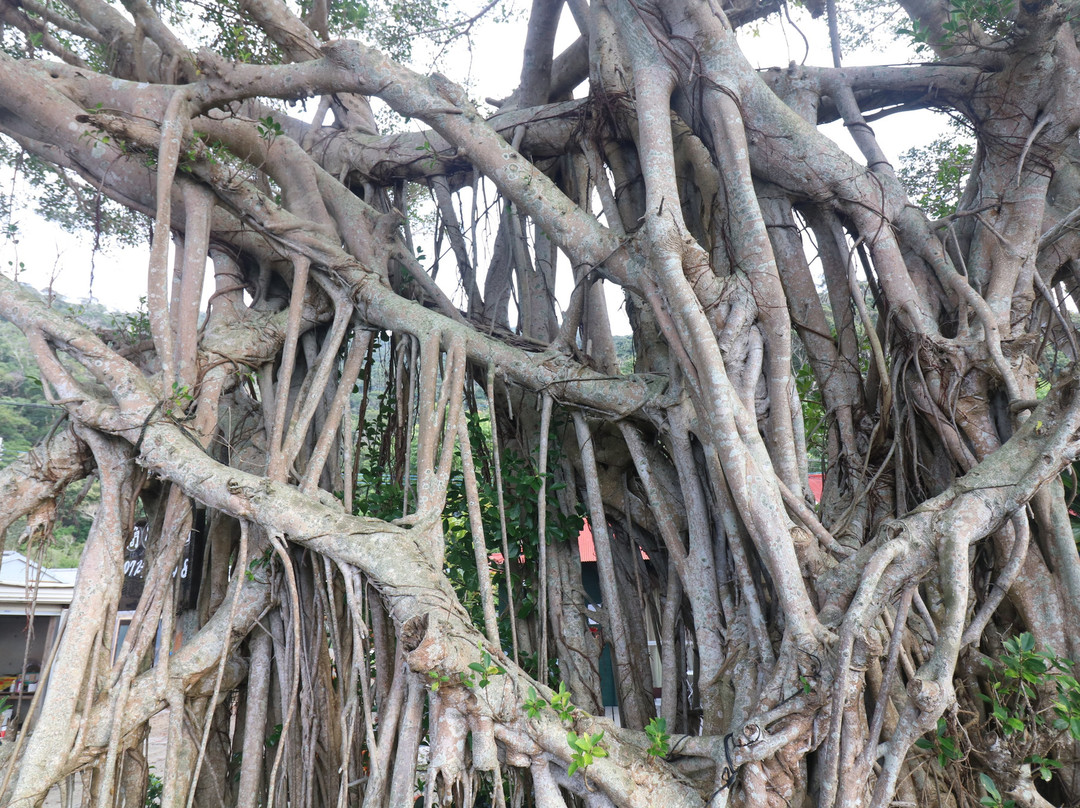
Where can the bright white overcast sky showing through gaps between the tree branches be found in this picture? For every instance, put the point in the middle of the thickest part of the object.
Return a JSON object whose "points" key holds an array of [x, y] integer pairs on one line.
{"points": [[49, 257]]}
